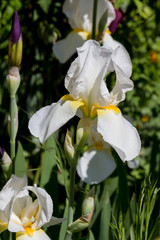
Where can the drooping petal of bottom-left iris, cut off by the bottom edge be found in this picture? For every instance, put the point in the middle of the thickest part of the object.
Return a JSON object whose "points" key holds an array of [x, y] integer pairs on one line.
{"points": [[36, 235]]}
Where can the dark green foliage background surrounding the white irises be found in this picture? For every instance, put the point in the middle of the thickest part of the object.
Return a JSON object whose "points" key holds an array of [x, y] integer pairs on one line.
{"points": [[42, 76]]}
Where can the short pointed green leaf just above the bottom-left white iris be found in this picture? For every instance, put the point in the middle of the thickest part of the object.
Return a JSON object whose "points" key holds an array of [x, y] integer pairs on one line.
{"points": [[20, 165]]}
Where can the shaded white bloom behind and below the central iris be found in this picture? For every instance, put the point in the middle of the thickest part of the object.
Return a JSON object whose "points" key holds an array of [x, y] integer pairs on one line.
{"points": [[97, 162]]}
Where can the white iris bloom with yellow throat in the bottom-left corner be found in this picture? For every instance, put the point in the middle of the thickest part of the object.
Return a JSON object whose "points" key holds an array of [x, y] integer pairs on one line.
{"points": [[27, 216]]}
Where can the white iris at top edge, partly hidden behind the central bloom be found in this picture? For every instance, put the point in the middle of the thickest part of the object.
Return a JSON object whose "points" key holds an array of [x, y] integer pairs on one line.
{"points": [[80, 16]]}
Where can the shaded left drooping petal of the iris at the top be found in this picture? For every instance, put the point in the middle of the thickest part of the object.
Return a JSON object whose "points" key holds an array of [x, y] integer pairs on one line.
{"points": [[65, 48]]}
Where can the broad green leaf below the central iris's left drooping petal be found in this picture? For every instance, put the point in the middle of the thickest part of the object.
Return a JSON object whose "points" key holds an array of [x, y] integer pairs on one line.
{"points": [[49, 161]]}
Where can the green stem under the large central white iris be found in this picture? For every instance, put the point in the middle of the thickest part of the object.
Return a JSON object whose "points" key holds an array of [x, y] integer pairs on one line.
{"points": [[71, 200]]}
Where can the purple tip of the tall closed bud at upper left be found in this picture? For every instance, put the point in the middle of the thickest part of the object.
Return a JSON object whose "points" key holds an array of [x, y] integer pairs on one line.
{"points": [[16, 29]]}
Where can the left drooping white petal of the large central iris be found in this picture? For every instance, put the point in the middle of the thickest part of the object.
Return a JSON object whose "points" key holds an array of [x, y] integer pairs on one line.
{"points": [[50, 118]]}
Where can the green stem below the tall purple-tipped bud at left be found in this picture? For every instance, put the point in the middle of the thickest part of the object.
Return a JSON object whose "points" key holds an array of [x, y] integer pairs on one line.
{"points": [[12, 127]]}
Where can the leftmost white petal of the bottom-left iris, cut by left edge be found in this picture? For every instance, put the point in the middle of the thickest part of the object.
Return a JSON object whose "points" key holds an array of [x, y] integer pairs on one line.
{"points": [[6, 196]]}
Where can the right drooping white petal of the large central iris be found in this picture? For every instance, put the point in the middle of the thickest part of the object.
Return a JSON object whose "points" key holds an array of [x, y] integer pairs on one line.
{"points": [[119, 133]]}
